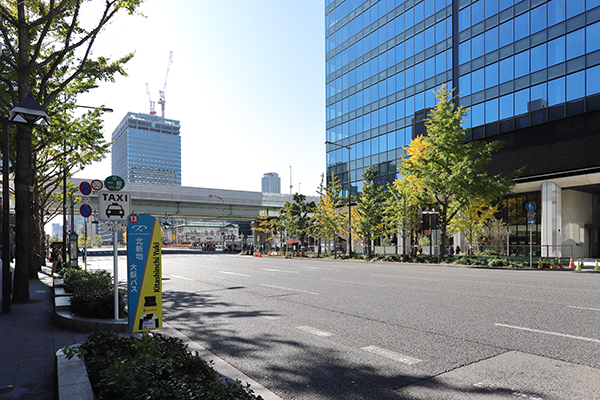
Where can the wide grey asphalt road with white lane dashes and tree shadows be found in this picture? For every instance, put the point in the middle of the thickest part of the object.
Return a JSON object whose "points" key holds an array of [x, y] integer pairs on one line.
{"points": [[309, 329]]}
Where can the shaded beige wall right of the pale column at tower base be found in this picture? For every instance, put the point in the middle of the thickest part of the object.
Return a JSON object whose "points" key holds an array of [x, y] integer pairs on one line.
{"points": [[576, 213]]}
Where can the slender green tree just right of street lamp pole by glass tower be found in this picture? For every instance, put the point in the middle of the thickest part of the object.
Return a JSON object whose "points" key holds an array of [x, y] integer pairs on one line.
{"points": [[370, 209]]}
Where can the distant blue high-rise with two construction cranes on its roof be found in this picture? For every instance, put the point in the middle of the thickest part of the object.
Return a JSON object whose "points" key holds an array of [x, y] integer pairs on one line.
{"points": [[147, 149]]}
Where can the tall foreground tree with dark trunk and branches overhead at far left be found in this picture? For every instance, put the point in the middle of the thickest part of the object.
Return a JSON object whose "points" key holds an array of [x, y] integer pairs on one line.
{"points": [[47, 51]]}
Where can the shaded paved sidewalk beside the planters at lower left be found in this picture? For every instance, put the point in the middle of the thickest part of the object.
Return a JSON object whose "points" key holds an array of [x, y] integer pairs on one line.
{"points": [[29, 342]]}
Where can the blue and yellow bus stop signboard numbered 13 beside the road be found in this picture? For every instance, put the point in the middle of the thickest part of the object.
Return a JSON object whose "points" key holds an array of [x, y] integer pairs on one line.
{"points": [[144, 273]]}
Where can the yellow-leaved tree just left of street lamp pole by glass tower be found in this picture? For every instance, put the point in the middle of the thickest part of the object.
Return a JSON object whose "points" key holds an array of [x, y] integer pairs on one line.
{"points": [[329, 219]]}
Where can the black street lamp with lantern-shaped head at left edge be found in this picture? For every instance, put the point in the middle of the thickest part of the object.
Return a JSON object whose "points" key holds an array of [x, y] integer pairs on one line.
{"points": [[28, 111]]}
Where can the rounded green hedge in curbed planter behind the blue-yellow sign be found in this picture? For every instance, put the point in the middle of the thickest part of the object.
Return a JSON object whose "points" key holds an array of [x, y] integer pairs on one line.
{"points": [[93, 293]]}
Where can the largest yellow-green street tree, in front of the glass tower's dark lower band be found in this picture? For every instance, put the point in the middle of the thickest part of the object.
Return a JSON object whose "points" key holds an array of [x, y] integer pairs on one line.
{"points": [[451, 171]]}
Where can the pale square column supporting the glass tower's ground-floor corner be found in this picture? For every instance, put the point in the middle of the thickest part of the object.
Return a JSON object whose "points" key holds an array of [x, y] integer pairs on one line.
{"points": [[551, 220]]}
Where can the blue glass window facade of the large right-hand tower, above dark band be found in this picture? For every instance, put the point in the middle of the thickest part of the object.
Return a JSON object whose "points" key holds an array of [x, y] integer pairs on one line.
{"points": [[514, 64]]}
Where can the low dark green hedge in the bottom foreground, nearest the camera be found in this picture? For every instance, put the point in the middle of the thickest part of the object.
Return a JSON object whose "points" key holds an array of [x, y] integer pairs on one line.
{"points": [[152, 367]]}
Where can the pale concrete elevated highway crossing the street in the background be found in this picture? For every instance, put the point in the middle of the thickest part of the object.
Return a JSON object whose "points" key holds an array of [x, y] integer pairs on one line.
{"points": [[198, 203]]}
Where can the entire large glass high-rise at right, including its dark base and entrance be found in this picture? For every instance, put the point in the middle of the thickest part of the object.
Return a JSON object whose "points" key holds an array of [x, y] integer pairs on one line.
{"points": [[528, 71]]}
